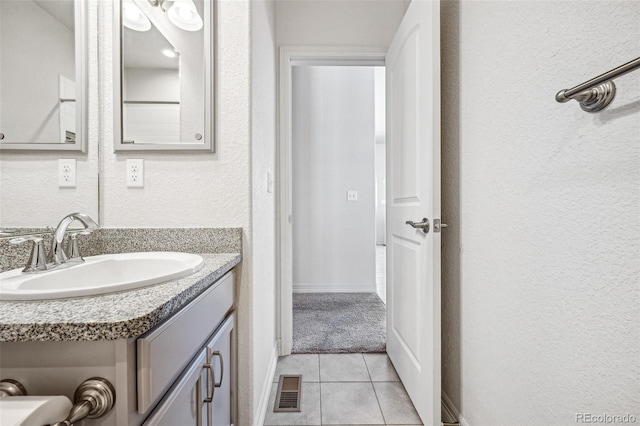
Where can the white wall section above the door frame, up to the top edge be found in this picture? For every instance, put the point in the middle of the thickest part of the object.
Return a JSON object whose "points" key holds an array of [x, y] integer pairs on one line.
{"points": [[338, 23]]}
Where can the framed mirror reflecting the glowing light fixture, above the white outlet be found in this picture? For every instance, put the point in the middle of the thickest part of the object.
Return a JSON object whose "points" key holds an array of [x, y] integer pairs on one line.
{"points": [[163, 75]]}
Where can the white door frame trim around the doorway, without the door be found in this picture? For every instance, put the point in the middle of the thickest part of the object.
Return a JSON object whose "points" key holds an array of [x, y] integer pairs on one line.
{"points": [[289, 57]]}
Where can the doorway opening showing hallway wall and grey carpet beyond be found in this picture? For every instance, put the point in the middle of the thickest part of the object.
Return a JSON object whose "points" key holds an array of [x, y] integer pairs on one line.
{"points": [[336, 135]]}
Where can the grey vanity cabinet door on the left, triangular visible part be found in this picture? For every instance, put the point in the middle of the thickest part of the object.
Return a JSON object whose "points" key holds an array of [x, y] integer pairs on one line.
{"points": [[182, 405]]}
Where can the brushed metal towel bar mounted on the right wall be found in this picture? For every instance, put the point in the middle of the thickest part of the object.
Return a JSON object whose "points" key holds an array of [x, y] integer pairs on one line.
{"points": [[594, 95]]}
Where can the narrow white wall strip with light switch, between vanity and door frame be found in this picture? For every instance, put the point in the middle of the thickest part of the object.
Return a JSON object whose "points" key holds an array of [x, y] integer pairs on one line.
{"points": [[263, 154]]}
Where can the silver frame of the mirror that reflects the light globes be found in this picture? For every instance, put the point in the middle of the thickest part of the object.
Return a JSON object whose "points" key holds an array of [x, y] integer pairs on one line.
{"points": [[208, 144]]}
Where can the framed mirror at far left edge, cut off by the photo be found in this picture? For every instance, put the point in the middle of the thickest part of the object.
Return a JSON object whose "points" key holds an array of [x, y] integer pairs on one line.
{"points": [[43, 75]]}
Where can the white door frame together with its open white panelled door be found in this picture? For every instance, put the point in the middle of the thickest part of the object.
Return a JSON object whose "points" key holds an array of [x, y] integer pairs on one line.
{"points": [[413, 182]]}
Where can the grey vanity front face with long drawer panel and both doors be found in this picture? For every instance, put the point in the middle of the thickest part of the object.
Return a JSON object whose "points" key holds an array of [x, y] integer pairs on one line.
{"points": [[202, 392]]}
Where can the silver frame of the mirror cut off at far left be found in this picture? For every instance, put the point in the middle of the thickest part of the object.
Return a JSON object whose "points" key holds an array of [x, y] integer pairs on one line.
{"points": [[82, 83]]}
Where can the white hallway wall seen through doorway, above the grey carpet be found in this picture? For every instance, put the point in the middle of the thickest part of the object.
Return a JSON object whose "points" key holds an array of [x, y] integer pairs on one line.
{"points": [[332, 153]]}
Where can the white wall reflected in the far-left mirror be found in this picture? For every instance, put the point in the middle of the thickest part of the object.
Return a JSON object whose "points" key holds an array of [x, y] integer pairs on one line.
{"points": [[36, 48]]}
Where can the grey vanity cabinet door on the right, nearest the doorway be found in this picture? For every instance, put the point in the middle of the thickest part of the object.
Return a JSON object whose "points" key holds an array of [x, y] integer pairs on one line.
{"points": [[219, 408]]}
